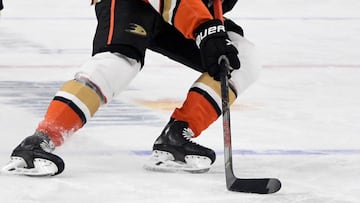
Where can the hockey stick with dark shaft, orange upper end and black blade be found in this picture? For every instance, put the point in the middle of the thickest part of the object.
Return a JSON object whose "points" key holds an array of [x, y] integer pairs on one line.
{"points": [[248, 185]]}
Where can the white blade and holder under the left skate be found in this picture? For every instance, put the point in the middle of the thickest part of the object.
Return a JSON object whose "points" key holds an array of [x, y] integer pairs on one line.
{"points": [[17, 166]]}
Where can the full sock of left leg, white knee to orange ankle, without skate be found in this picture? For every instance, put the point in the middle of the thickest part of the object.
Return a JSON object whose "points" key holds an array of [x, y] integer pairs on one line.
{"points": [[100, 79]]}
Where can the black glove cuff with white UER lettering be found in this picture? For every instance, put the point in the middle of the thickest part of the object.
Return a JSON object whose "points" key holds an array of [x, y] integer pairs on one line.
{"points": [[209, 29]]}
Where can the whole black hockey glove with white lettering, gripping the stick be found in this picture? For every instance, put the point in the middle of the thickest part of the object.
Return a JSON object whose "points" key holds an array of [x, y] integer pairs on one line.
{"points": [[214, 42]]}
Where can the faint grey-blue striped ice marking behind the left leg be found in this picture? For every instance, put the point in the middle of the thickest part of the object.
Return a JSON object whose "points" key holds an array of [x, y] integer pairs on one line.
{"points": [[119, 112]]}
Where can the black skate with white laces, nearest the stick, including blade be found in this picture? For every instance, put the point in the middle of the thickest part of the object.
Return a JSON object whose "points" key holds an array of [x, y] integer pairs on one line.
{"points": [[174, 151]]}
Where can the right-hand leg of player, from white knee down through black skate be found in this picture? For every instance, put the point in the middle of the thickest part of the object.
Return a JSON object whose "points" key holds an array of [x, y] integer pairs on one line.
{"points": [[200, 109]]}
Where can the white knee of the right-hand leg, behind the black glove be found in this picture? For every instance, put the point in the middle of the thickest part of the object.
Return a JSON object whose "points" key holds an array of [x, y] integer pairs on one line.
{"points": [[250, 64]]}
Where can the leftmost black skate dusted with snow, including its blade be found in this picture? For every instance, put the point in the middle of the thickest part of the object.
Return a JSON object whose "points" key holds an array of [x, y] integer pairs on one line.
{"points": [[33, 157]]}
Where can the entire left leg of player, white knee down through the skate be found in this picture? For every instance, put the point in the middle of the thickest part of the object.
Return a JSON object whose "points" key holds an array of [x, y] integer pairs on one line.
{"points": [[102, 78]]}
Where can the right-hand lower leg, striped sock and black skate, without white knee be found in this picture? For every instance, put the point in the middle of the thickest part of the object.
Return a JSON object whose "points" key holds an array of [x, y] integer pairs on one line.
{"points": [[174, 149]]}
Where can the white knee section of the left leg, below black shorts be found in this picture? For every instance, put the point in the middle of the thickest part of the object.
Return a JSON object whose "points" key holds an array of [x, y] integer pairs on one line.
{"points": [[108, 74]]}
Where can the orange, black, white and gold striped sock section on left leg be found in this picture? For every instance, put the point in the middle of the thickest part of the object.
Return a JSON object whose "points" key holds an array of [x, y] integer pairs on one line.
{"points": [[71, 107]]}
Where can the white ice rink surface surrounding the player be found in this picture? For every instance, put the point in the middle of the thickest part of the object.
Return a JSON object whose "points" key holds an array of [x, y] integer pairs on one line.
{"points": [[299, 122]]}
